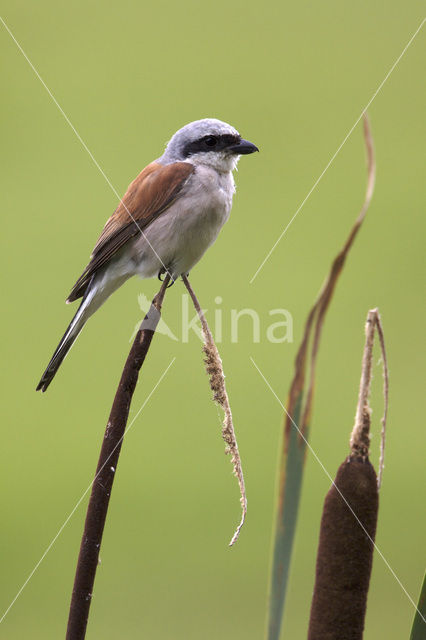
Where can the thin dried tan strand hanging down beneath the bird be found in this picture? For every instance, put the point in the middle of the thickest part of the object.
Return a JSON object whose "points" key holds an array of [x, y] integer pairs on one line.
{"points": [[216, 375]]}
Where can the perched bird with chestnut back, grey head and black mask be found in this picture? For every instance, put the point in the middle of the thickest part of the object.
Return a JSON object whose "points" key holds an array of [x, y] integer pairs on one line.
{"points": [[169, 216]]}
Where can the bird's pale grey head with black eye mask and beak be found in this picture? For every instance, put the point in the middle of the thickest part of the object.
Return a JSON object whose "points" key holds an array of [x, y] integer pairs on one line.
{"points": [[209, 142]]}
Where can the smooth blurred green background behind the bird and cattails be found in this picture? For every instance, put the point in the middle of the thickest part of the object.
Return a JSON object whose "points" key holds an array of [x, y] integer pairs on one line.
{"points": [[293, 78]]}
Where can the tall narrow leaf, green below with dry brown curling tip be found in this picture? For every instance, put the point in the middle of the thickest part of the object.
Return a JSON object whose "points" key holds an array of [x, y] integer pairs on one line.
{"points": [[298, 414]]}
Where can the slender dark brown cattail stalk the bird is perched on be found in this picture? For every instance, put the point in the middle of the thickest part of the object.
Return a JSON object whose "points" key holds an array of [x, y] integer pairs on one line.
{"points": [[105, 472]]}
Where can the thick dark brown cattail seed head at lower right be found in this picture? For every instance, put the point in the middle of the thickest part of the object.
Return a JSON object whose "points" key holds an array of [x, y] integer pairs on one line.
{"points": [[345, 553]]}
